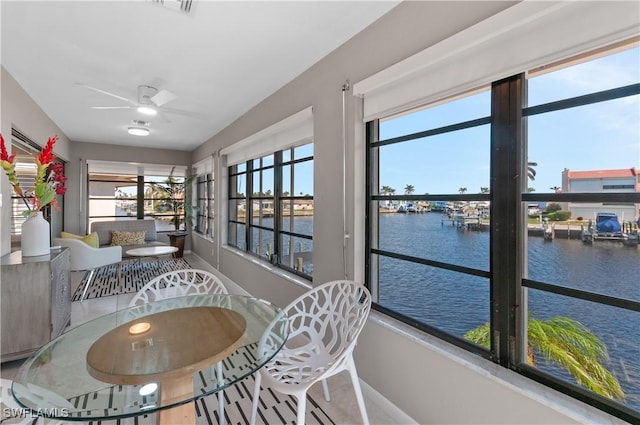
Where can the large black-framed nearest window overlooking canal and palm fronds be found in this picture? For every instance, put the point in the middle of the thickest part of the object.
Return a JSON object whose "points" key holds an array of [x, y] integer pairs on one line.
{"points": [[456, 249]]}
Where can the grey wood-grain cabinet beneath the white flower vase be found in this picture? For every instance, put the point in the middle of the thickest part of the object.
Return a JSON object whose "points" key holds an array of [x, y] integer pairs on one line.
{"points": [[35, 301]]}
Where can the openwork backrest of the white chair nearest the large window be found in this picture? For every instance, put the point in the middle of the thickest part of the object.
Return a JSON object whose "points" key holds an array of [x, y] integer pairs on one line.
{"points": [[330, 316]]}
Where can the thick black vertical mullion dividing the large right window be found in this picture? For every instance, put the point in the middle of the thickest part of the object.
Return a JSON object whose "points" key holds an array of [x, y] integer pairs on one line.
{"points": [[506, 187]]}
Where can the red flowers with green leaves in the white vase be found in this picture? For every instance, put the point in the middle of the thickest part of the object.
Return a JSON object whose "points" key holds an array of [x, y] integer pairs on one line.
{"points": [[50, 177]]}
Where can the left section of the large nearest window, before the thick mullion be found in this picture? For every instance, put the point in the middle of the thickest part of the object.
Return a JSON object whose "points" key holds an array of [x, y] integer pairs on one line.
{"points": [[429, 169]]}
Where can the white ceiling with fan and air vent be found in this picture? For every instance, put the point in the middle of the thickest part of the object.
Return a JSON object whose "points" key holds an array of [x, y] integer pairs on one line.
{"points": [[220, 60]]}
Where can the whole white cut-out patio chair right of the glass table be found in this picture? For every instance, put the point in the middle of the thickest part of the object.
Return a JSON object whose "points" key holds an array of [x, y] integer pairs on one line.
{"points": [[324, 325]]}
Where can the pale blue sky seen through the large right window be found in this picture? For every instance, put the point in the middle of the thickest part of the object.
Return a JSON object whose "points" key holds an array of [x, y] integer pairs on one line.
{"points": [[593, 137]]}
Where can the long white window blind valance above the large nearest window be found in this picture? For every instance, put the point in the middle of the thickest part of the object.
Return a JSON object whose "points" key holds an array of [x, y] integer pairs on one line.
{"points": [[525, 36]]}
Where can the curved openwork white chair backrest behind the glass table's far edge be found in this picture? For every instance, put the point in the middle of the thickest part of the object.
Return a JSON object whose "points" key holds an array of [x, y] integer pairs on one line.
{"points": [[179, 283]]}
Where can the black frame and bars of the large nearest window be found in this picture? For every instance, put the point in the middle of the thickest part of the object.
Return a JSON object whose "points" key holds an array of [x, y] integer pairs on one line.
{"points": [[509, 198]]}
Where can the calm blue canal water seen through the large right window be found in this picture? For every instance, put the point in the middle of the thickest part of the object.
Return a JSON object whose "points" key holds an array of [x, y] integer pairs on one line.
{"points": [[458, 302]]}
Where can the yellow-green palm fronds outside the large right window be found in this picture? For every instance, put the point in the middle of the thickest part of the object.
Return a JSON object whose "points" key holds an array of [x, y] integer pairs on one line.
{"points": [[569, 344]]}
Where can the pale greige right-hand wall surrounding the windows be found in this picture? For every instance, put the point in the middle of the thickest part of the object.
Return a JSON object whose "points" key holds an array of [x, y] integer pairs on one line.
{"points": [[430, 383]]}
